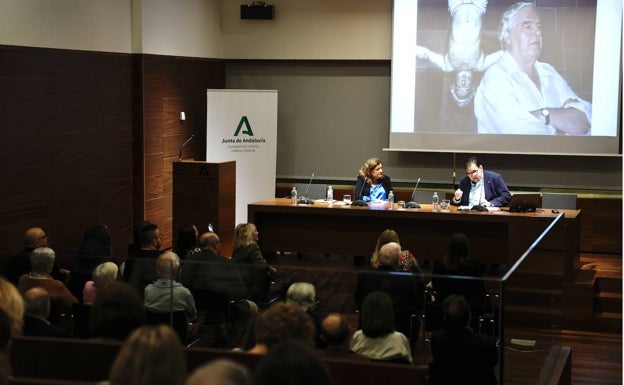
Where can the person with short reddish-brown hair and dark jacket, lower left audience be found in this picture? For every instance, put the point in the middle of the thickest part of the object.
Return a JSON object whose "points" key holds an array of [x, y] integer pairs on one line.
{"points": [[37, 301]]}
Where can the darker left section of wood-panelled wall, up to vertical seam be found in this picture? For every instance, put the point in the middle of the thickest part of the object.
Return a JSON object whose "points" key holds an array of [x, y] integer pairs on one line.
{"points": [[66, 135]]}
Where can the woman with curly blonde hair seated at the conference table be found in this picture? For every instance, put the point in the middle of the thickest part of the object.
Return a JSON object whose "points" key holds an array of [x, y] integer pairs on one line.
{"points": [[372, 184]]}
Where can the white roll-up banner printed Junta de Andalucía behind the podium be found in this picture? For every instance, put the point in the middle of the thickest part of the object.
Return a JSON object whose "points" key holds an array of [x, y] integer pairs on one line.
{"points": [[242, 126]]}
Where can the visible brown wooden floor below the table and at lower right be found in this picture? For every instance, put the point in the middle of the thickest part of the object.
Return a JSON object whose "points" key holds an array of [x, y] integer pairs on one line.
{"points": [[596, 356]]}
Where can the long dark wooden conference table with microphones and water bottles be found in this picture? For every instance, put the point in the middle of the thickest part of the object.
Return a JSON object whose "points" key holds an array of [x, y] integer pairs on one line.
{"points": [[496, 237]]}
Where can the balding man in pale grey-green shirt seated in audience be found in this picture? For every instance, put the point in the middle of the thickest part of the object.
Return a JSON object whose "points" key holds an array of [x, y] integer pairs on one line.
{"points": [[165, 294]]}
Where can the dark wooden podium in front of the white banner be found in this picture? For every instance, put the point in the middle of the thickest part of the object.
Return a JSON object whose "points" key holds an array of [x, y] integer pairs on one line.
{"points": [[205, 193]]}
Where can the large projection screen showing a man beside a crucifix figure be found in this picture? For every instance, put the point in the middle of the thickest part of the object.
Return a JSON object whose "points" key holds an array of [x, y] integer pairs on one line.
{"points": [[444, 100]]}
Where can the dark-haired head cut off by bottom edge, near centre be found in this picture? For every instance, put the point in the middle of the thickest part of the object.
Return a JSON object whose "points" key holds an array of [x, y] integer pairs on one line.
{"points": [[292, 363]]}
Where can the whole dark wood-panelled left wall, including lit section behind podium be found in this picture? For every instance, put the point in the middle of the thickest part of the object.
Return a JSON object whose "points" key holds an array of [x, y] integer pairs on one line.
{"points": [[89, 137]]}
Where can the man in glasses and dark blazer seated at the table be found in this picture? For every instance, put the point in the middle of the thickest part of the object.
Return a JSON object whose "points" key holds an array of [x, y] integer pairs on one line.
{"points": [[480, 187]]}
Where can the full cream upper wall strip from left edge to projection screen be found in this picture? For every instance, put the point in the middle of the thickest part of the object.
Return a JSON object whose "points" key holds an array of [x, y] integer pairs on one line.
{"points": [[302, 29]]}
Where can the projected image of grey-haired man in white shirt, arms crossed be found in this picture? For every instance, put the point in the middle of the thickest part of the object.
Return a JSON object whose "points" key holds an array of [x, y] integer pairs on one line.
{"points": [[519, 94]]}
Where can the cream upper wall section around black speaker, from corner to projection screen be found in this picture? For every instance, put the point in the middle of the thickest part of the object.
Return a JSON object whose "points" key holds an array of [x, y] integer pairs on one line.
{"points": [[305, 29]]}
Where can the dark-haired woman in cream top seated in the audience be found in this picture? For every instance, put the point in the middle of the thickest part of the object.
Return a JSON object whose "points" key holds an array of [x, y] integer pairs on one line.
{"points": [[377, 337]]}
